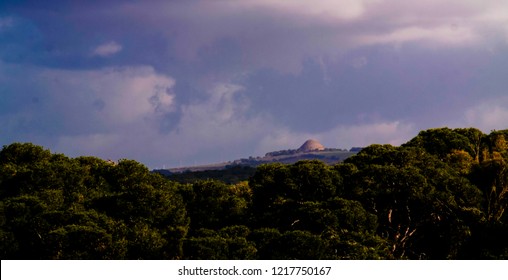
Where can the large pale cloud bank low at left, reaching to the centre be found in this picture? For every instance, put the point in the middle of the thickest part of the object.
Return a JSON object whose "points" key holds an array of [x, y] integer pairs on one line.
{"points": [[117, 113]]}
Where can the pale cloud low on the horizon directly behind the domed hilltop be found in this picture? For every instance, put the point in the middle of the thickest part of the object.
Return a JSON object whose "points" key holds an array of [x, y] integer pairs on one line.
{"points": [[219, 127]]}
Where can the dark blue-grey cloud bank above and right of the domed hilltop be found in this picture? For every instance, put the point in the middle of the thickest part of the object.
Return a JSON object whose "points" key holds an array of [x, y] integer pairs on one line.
{"points": [[393, 84]]}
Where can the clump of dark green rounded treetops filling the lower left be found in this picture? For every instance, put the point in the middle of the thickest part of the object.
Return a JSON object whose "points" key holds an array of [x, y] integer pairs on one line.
{"points": [[54, 207]]}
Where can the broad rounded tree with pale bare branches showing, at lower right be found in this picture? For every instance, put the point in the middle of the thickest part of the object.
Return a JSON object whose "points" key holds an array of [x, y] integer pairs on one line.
{"points": [[415, 195]]}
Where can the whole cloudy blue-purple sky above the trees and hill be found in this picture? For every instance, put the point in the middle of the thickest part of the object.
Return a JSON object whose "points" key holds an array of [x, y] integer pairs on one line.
{"points": [[186, 82]]}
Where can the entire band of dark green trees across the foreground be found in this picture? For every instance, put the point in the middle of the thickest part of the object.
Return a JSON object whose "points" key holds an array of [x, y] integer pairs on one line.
{"points": [[441, 195]]}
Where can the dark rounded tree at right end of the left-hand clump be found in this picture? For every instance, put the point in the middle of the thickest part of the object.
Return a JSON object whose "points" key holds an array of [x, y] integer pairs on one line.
{"points": [[150, 206]]}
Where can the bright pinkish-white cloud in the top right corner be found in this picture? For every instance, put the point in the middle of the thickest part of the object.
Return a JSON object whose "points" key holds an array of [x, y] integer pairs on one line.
{"points": [[435, 23]]}
